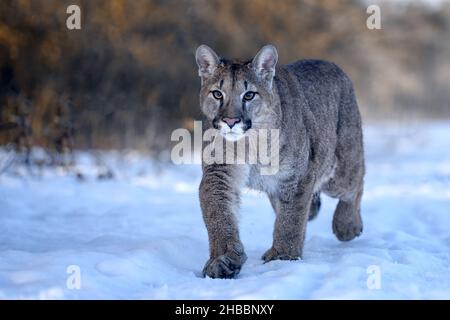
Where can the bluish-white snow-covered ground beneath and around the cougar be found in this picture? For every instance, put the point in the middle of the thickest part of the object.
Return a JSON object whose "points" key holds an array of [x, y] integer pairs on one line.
{"points": [[141, 235]]}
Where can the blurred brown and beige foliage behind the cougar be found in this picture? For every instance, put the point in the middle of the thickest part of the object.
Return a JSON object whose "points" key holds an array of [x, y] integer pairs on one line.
{"points": [[128, 77]]}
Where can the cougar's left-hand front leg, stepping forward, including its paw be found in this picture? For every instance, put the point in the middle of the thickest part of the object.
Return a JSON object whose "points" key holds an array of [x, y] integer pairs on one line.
{"points": [[219, 199]]}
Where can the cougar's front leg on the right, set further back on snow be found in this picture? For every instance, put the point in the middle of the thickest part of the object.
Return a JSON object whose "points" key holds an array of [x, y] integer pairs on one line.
{"points": [[292, 212]]}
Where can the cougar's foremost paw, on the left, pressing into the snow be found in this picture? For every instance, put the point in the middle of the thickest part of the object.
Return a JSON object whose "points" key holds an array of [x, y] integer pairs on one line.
{"points": [[224, 266]]}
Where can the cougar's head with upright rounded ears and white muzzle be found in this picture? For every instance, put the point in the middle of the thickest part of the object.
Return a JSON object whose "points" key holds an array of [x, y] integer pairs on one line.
{"points": [[235, 96]]}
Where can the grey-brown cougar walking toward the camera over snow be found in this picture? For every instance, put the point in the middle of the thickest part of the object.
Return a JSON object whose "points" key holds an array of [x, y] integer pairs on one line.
{"points": [[313, 104]]}
